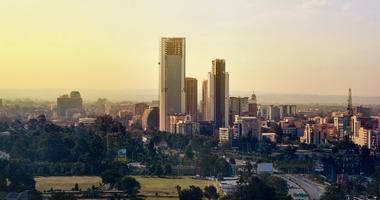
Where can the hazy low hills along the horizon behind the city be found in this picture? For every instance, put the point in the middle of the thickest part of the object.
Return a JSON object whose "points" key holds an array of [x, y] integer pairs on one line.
{"points": [[152, 94]]}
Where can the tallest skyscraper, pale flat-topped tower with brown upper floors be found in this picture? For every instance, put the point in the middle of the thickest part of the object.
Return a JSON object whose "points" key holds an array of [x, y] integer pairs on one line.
{"points": [[172, 79]]}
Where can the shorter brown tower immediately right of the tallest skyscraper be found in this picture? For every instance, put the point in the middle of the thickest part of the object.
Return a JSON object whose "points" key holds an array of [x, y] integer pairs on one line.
{"points": [[191, 90]]}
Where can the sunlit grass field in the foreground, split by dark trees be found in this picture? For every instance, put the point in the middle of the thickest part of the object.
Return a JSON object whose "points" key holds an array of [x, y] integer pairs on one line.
{"points": [[164, 187]]}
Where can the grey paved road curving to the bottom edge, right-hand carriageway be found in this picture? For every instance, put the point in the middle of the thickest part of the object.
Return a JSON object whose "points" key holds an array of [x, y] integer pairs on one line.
{"points": [[314, 190]]}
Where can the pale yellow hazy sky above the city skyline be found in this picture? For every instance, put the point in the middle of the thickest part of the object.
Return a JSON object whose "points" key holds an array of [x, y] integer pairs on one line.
{"points": [[288, 46]]}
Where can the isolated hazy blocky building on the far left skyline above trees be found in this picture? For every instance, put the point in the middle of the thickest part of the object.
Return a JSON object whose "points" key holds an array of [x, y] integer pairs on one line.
{"points": [[67, 105]]}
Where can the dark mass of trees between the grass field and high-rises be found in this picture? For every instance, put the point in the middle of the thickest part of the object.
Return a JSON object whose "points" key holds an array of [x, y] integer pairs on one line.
{"points": [[47, 149]]}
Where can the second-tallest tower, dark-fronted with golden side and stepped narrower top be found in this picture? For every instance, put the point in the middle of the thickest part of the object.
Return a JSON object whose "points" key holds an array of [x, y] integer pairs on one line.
{"points": [[218, 97]]}
